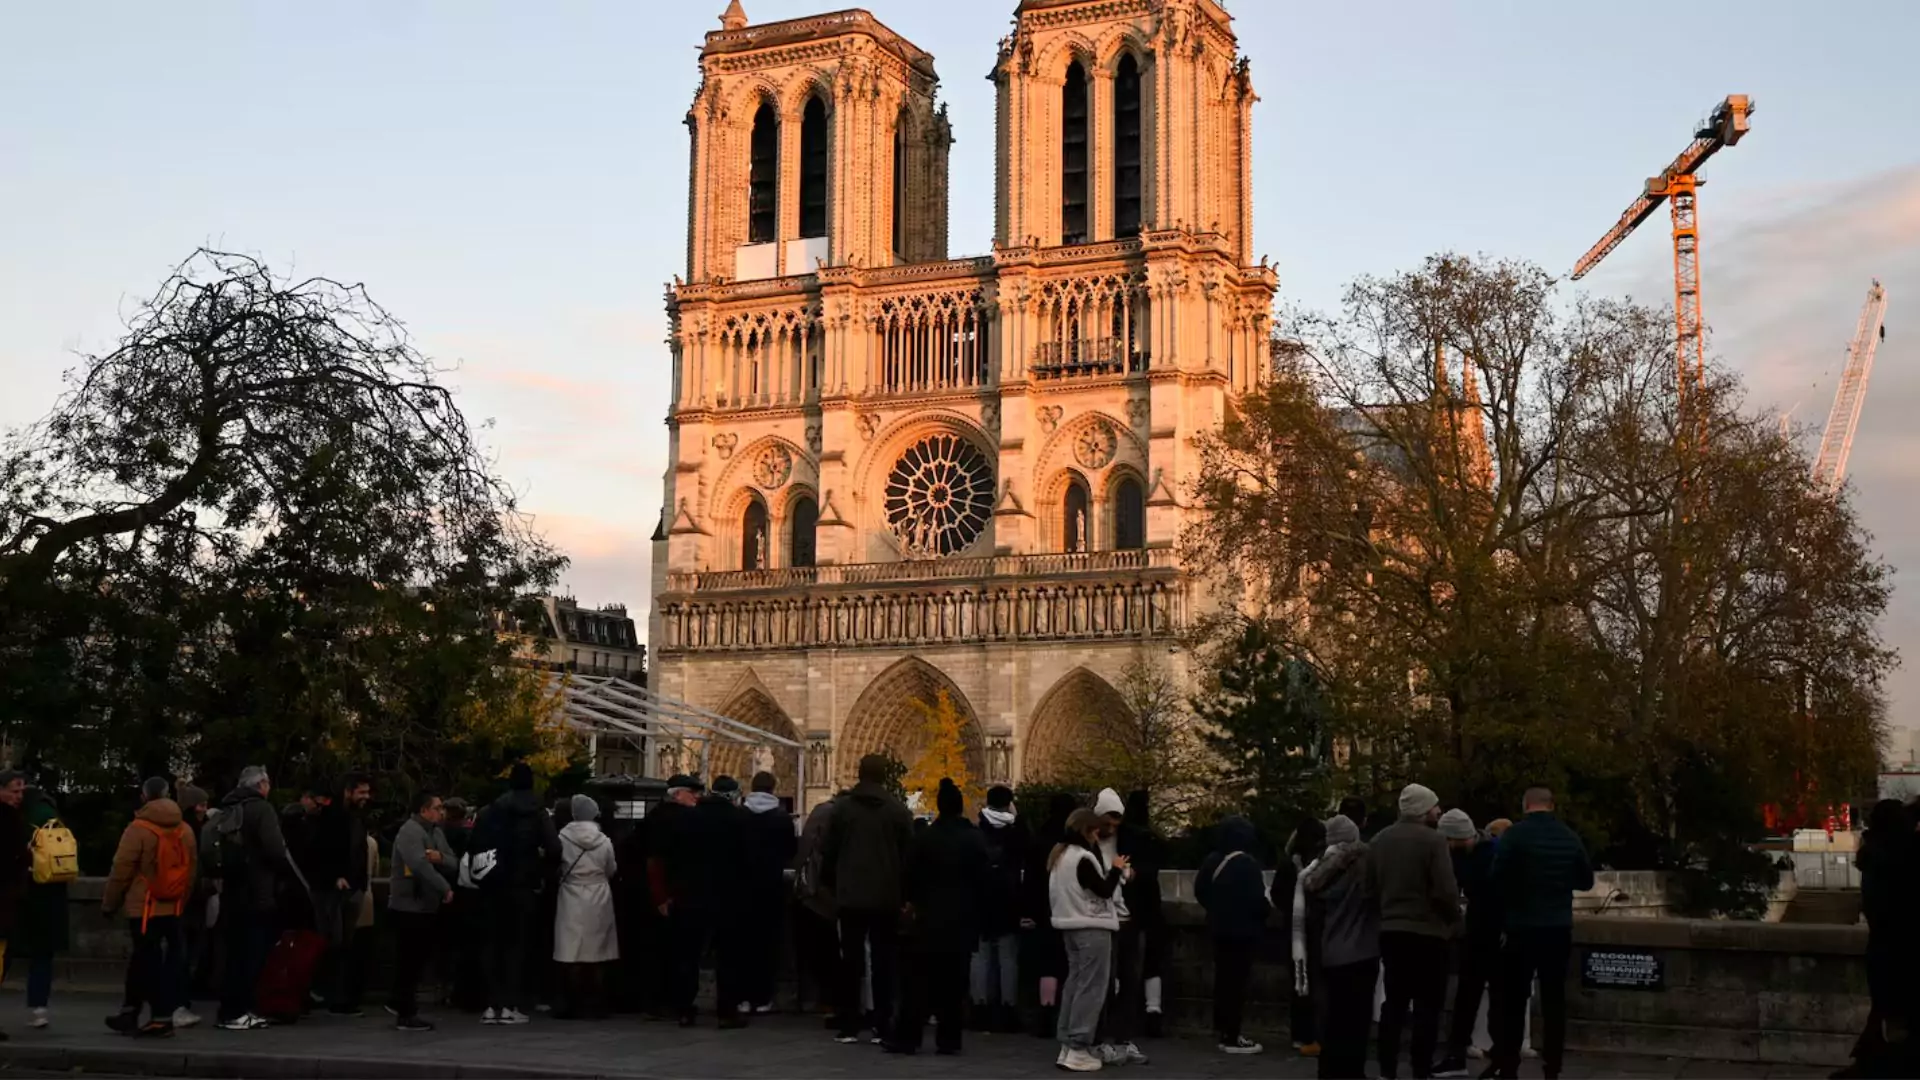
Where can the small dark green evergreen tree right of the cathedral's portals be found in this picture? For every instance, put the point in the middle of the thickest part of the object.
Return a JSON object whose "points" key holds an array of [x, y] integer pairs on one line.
{"points": [[1266, 718]]}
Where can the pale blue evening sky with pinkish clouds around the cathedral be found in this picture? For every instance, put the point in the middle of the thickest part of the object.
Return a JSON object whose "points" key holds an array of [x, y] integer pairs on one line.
{"points": [[512, 182]]}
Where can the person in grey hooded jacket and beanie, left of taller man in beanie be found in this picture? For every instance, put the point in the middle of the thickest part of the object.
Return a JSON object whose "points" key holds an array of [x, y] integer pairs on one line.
{"points": [[1345, 914]]}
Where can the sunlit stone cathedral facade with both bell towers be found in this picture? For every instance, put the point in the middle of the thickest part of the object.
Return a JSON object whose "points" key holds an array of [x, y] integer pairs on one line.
{"points": [[894, 474]]}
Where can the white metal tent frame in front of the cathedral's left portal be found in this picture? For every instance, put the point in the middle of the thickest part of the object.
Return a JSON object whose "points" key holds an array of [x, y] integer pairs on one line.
{"points": [[608, 706]]}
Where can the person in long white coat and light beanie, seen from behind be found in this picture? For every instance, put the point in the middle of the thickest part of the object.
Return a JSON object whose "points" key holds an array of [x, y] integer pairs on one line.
{"points": [[585, 931]]}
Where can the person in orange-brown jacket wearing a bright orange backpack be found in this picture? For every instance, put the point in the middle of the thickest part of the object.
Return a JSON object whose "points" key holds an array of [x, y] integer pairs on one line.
{"points": [[151, 885]]}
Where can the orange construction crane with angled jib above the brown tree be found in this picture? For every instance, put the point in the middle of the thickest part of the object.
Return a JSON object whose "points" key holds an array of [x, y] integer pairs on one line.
{"points": [[1677, 185]]}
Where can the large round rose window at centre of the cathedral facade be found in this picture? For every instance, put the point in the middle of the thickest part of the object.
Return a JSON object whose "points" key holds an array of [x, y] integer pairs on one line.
{"points": [[940, 495]]}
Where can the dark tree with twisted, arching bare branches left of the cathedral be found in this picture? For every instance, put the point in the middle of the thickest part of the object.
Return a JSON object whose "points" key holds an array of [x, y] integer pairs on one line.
{"points": [[256, 531]]}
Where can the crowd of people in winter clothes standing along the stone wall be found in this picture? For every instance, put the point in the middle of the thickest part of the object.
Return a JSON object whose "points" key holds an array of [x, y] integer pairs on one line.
{"points": [[896, 923]]}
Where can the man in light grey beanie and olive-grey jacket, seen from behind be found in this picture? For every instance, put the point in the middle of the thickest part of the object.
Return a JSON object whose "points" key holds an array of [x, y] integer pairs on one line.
{"points": [[1420, 910]]}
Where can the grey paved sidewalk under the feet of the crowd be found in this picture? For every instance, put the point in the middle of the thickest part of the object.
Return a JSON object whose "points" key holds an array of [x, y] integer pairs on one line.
{"points": [[327, 1048]]}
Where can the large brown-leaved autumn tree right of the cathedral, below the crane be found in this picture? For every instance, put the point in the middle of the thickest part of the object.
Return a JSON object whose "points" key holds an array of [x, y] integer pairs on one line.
{"points": [[1470, 508]]}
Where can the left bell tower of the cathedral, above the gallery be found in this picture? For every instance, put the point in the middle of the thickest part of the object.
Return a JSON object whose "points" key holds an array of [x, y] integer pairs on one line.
{"points": [[815, 143]]}
